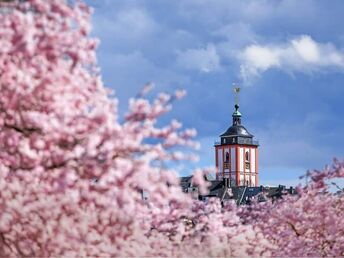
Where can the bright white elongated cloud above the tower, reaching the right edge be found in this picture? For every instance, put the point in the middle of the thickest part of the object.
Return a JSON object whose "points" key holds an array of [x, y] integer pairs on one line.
{"points": [[301, 54]]}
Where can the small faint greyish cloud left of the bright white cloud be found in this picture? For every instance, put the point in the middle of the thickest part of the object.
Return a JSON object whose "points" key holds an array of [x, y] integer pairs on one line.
{"points": [[202, 59]]}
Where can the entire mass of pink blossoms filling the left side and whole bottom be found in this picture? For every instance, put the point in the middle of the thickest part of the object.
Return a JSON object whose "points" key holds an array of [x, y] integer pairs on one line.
{"points": [[73, 178]]}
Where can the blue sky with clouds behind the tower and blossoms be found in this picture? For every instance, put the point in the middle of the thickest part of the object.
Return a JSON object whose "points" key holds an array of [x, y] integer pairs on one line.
{"points": [[287, 55]]}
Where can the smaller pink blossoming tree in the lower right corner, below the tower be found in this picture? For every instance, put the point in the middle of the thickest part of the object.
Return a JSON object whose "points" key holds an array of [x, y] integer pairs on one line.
{"points": [[307, 224]]}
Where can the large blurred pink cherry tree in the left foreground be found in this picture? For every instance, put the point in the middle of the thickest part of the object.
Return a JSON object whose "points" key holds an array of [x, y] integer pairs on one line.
{"points": [[59, 133]]}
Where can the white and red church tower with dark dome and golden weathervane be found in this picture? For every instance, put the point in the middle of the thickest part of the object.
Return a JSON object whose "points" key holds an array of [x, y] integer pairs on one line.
{"points": [[236, 155]]}
